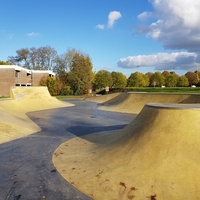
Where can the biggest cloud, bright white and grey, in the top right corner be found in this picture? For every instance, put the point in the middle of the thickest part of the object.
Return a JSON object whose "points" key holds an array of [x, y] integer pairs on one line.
{"points": [[177, 25]]}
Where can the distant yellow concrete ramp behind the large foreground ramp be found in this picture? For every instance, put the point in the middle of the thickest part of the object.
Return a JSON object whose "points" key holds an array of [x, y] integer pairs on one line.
{"points": [[134, 102]]}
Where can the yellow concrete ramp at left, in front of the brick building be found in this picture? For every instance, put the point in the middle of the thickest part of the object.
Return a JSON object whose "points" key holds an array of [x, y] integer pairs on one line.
{"points": [[13, 120]]}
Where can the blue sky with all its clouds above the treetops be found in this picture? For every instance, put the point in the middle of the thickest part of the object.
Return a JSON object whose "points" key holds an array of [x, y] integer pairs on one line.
{"points": [[118, 35]]}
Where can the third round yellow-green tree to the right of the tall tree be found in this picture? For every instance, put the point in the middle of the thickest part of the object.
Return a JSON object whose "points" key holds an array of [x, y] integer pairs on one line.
{"points": [[138, 79]]}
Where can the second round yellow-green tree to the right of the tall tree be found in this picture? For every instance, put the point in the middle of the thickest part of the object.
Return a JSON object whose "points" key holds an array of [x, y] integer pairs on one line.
{"points": [[119, 80]]}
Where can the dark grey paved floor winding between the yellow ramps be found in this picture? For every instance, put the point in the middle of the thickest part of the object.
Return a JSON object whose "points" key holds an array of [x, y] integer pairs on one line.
{"points": [[26, 170]]}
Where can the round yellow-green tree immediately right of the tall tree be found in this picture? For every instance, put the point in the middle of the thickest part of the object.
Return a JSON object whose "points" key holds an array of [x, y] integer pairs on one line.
{"points": [[102, 79]]}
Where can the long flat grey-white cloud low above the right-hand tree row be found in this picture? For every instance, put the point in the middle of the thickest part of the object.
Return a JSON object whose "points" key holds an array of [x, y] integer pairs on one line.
{"points": [[160, 61]]}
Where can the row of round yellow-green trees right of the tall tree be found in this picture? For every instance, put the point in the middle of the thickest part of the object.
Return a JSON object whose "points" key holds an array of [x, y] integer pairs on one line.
{"points": [[137, 79]]}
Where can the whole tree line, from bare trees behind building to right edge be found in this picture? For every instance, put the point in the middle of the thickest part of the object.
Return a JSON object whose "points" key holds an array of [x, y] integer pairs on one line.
{"points": [[75, 76]]}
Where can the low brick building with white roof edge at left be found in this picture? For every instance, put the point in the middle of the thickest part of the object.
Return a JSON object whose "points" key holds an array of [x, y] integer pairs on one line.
{"points": [[13, 75]]}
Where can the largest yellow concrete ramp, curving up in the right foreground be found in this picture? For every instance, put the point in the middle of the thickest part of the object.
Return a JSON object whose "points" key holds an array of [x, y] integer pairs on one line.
{"points": [[156, 156]]}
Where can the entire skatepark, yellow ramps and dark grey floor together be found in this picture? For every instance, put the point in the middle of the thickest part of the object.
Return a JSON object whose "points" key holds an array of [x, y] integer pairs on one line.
{"points": [[117, 146]]}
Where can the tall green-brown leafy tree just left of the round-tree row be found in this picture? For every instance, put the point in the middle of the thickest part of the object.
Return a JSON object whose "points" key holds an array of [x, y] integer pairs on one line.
{"points": [[80, 76]]}
